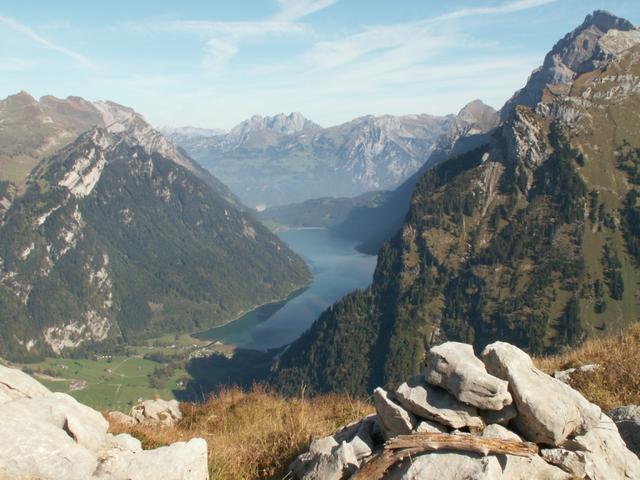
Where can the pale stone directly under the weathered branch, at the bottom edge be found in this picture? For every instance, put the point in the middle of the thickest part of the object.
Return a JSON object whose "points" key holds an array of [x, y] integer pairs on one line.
{"points": [[450, 466]]}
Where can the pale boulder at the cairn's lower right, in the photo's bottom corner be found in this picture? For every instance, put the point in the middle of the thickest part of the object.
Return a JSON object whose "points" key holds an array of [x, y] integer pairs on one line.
{"points": [[606, 455]]}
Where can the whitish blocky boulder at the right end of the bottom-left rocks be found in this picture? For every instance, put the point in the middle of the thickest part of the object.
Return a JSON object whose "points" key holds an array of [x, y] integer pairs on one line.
{"points": [[179, 461]]}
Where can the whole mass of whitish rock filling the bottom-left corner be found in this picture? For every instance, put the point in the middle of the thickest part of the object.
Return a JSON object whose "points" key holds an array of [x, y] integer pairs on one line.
{"points": [[51, 436]]}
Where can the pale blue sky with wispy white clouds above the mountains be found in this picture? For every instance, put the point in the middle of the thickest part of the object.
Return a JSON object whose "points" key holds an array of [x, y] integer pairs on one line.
{"points": [[215, 63]]}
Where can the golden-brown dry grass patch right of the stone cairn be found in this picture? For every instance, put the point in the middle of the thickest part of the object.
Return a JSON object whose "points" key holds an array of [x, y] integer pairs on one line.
{"points": [[617, 382]]}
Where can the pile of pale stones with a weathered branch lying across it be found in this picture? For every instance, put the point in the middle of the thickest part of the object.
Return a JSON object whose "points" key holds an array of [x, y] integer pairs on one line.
{"points": [[497, 417]]}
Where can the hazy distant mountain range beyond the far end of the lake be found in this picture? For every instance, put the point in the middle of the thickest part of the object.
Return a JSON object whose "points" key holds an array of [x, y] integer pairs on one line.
{"points": [[286, 159]]}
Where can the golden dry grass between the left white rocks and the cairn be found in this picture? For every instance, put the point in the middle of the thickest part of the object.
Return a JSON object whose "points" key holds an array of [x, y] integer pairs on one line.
{"points": [[253, 435]]}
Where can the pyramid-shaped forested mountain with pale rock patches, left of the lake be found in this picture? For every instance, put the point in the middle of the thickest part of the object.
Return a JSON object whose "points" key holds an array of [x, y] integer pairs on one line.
{"points": [[119, 235]]}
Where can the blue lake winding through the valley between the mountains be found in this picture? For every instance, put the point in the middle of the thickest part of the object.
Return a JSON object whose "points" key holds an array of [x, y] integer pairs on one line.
{"points": [[337, 268]]}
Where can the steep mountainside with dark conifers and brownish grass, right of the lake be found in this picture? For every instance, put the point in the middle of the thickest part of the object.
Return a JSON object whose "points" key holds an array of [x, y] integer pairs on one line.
{"points": [[532, 238]]}
